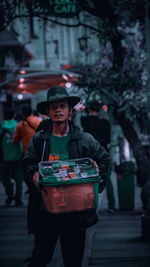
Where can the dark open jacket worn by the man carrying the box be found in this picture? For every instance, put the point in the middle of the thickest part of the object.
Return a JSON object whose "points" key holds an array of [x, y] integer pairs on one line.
{"points": [[80, 145]]}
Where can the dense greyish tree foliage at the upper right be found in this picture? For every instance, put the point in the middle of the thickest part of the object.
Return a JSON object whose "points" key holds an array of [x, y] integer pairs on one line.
{"points": [[123, 90]]}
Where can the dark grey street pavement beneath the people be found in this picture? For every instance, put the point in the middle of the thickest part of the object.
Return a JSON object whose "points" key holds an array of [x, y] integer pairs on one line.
{"points": [[116, 240]]}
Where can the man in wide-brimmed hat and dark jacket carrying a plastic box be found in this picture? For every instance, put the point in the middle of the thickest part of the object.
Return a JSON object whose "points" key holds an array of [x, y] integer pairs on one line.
{"points": [[63, 139]]}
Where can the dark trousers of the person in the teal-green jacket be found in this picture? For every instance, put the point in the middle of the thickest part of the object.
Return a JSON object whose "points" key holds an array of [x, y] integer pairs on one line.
{"points": [[12, 170]]}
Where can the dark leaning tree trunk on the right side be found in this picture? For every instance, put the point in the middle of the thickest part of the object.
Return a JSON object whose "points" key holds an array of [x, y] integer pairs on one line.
{"points": [[139, 152]]}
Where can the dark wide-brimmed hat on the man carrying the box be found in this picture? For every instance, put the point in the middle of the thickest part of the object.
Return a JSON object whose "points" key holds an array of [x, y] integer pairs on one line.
{"points": [[55, 94]]}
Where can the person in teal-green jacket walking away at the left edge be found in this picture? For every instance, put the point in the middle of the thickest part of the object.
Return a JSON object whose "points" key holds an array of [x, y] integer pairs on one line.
{"points": [[11, 158]]}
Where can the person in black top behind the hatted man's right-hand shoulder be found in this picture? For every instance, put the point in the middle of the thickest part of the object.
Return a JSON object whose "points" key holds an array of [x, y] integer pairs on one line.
{"points": [[99, 127]]}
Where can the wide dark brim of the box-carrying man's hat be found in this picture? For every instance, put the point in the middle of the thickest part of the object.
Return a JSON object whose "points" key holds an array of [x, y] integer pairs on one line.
{"points": [[42, 107]]}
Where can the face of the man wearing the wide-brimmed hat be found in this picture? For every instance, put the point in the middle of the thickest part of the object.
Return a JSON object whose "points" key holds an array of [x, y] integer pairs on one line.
{"points": [[59, 111]]}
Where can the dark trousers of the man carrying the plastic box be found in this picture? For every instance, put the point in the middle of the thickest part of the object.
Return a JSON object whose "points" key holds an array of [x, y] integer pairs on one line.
{"points": [[72, 240]]}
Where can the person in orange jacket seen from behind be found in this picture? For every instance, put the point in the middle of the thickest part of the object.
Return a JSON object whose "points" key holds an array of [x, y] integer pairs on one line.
{"points": [[26, 129]]}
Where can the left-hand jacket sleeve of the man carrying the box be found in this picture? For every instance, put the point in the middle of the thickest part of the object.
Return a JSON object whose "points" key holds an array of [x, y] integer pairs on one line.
{"points": [[31, 160]]}
